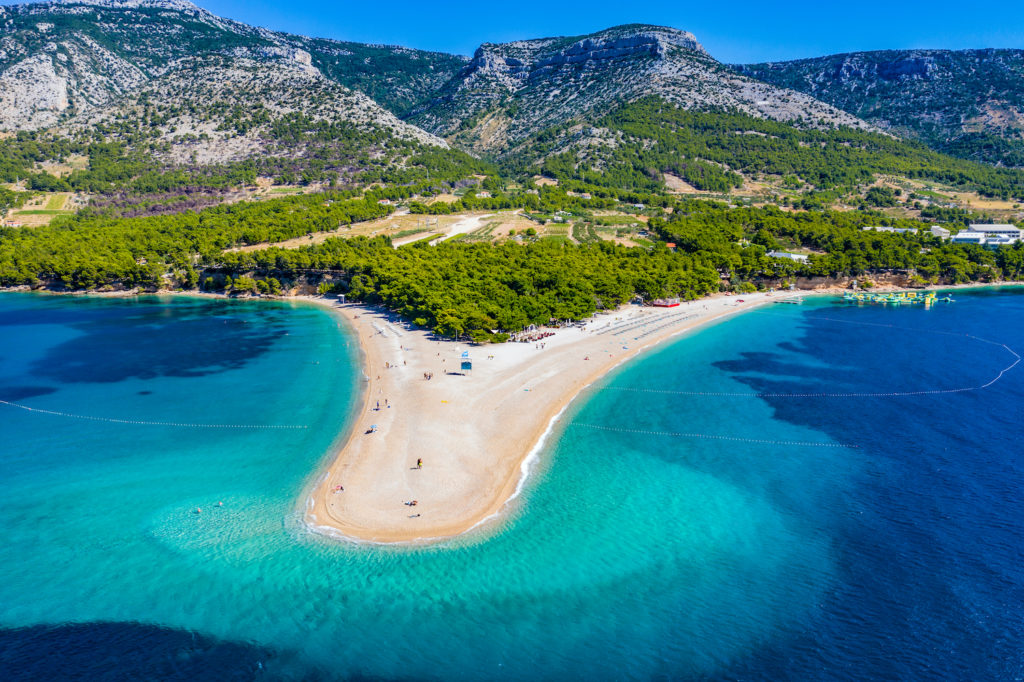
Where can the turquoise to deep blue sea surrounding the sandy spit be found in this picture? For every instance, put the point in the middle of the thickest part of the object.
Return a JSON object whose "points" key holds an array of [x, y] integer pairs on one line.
{"points": [[784, 496]]}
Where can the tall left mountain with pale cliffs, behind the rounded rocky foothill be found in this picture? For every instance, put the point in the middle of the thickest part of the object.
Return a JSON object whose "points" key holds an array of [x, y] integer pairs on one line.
{"points": [[63, 59]]}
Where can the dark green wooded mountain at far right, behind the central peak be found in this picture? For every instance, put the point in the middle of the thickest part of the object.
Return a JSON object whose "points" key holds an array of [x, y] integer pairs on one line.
{"points": [[966, 103]]}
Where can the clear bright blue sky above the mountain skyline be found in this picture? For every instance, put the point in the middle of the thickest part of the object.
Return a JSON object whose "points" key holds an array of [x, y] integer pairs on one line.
{"points": [[737, 31]]}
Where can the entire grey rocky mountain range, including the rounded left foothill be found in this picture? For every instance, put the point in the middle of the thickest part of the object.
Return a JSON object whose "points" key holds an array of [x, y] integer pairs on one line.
{"points": [[191, 89]]}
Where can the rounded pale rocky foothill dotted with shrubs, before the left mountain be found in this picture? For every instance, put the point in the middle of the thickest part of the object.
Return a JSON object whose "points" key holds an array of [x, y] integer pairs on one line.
{"points": [[221, 110]]}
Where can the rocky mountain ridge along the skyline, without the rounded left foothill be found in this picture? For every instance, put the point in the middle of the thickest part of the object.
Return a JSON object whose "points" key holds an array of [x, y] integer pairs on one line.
{"points": [[63, 62]]}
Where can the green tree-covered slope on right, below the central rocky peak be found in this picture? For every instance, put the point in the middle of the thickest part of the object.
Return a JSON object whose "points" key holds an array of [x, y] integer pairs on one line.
{"points": [[709, 149]]}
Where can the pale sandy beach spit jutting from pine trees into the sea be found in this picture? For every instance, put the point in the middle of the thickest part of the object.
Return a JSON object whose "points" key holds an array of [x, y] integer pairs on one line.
{"points": [[455, 444]]}
